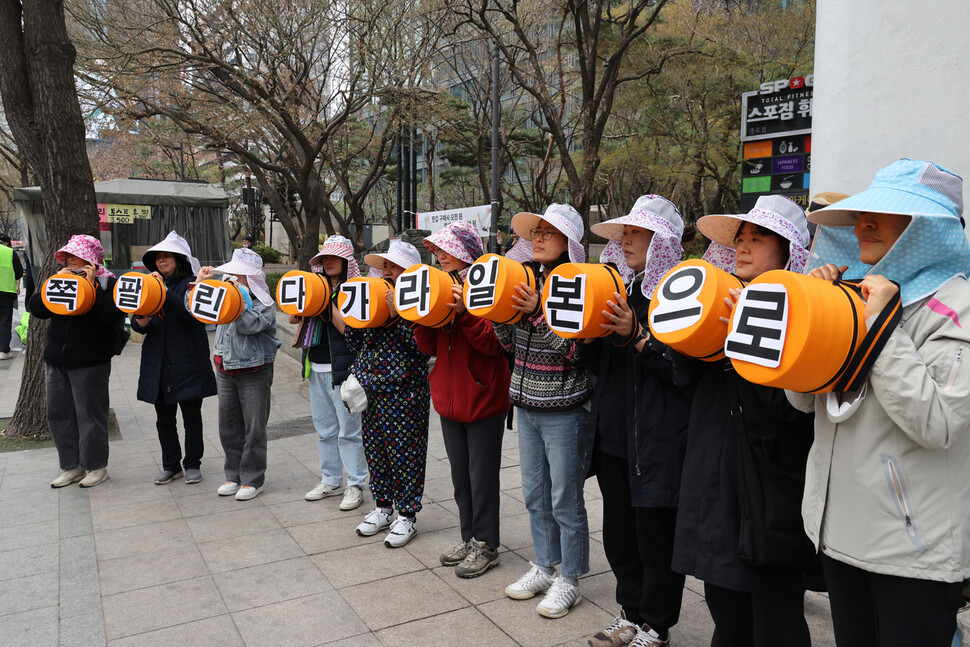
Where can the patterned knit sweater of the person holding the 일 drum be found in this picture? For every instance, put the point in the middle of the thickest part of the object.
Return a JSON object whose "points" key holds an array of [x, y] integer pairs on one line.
{"points": [[544, 377]]}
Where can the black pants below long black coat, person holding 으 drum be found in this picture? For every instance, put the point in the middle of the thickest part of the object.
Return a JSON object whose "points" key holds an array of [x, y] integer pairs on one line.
{"points": [[766, 619]]}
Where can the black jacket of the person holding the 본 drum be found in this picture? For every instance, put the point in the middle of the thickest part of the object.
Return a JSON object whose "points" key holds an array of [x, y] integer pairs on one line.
{"points": [[638, 414]]}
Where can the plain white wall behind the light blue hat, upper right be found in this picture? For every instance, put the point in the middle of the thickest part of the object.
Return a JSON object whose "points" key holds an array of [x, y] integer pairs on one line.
{"points": [[892, 79]]}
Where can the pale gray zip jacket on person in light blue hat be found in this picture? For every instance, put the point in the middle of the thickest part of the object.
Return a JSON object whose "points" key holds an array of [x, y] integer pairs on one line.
{"points": [[887, 489]]}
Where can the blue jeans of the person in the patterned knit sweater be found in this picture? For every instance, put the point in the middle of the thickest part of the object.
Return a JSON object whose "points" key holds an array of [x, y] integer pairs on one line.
{"points": [[551, 462]]}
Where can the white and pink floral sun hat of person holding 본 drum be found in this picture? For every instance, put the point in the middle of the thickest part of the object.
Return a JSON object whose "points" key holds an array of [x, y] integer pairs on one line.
{"points": [[658, 215]]}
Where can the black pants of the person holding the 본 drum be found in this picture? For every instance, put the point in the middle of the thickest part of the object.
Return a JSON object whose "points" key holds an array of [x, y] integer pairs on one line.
{"points": [[639, 544]]}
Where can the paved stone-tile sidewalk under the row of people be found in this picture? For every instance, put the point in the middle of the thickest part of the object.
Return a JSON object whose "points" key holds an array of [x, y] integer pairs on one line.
{"points": [[132, 563]]}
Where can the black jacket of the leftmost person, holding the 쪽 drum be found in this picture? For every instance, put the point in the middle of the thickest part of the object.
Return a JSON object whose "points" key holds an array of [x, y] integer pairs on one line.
{"points": [[77, 341]]}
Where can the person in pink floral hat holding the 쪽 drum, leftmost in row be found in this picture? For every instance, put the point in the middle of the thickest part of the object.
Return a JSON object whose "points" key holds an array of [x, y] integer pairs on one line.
{"points": [[77, 365]]}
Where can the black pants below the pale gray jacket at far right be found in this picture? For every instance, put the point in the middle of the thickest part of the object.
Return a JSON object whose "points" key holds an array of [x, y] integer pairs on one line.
{"points": [[870, 610]]}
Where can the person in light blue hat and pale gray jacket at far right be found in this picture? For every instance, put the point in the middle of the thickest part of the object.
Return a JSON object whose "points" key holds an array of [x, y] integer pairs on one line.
{"points": [[887, 493]]}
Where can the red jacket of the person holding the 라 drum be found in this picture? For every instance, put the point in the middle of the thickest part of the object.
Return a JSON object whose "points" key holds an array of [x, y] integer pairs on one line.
{"points": [[470, 379]]}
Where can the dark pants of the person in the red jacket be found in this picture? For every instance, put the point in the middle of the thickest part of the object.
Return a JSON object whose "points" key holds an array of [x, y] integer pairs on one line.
{"points": [[475, 453]]}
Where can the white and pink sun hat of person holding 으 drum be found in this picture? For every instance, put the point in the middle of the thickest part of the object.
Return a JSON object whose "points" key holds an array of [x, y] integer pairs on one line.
{"points": [[774, 212]]}
